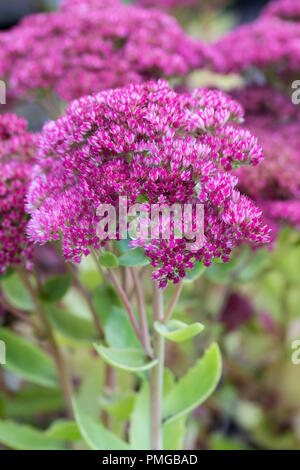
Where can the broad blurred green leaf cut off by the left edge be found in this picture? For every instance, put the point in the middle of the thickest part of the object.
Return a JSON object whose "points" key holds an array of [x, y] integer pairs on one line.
{"points": [[28, 361]]}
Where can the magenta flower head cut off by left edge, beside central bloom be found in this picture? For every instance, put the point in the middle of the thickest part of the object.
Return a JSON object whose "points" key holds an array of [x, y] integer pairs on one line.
{"points": [[17, 148]]}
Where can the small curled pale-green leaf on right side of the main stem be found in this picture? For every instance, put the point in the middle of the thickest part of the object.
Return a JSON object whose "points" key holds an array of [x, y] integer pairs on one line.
{"points": [[178, 331]]}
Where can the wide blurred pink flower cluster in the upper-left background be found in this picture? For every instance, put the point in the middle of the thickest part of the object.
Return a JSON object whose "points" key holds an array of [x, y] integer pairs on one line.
{"points": [[92, 48]]}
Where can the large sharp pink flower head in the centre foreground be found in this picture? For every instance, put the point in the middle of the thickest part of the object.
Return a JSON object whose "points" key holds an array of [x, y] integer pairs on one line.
{"points": [[145, 140]]}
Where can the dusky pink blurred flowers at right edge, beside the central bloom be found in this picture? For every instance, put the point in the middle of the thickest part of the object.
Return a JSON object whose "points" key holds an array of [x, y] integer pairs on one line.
{"points": [[275, 183]]}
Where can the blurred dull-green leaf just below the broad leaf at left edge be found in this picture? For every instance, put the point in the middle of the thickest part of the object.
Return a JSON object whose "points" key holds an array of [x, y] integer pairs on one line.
{"points": [[32, 400]]}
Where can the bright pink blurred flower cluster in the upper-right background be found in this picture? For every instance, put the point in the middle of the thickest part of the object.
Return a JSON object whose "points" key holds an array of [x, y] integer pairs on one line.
{"points": [[269, 44]]}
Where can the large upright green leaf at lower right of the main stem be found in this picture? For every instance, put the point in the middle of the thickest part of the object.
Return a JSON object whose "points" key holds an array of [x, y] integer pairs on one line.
{"points": [[195, 387]]}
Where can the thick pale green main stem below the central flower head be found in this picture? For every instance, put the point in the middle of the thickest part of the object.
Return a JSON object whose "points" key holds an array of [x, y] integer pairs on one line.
{"points": [[156, 374]]}
